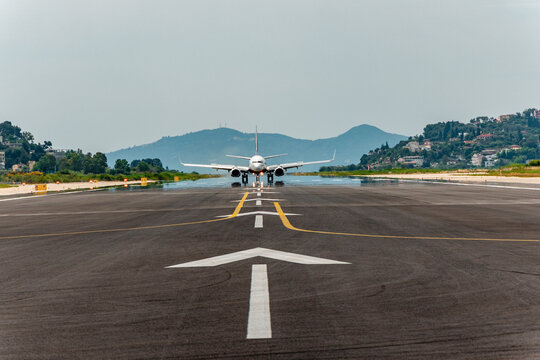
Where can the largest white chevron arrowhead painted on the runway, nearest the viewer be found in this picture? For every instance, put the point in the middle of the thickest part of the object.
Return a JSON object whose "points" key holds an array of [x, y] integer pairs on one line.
{"points": [[251, 253]]}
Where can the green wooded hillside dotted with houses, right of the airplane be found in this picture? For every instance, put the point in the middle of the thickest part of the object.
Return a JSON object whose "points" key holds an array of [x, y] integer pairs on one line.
{"points": [[483, 142]]}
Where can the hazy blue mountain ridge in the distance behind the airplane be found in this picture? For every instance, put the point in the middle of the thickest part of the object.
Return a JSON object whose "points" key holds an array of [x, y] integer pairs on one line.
{"points": [[211, 146]]}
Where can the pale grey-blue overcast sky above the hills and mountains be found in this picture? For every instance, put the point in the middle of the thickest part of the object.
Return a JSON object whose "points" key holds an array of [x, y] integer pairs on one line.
{"points": [[108, 74]]}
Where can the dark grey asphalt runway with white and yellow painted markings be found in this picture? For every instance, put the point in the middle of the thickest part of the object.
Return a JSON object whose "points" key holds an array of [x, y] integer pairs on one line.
{"points": [[428, 271]]}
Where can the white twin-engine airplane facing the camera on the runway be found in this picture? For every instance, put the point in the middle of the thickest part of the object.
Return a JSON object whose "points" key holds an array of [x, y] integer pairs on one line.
{"points": [[257, 165]]}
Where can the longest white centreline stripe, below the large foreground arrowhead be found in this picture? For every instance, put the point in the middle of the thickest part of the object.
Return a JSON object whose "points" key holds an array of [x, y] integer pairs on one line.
{"points": [[259, 323]]}
